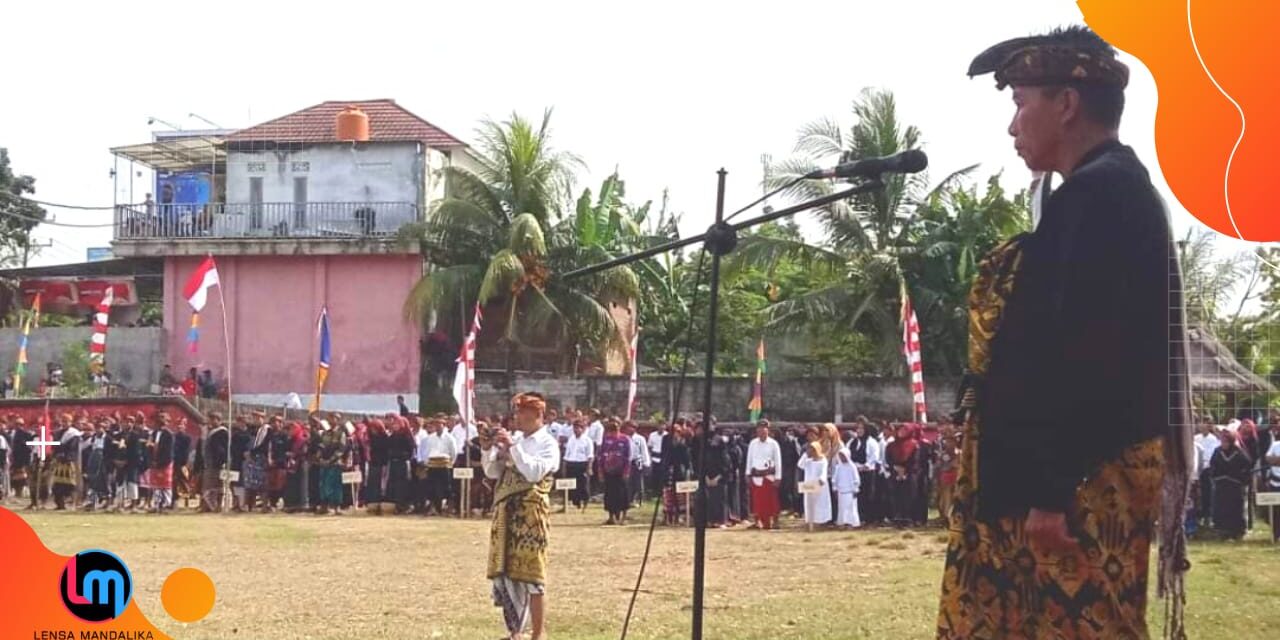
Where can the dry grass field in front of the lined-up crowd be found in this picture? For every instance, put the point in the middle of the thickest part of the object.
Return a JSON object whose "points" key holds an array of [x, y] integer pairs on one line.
{"points": [[360, 577]]}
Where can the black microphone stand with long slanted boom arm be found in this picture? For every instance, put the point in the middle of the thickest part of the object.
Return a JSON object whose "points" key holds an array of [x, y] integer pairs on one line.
{"points": [[720, 240]]}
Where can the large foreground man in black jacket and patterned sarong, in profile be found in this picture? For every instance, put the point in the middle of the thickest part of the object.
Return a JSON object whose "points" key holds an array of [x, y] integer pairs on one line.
{"points": [[1076, 413]]}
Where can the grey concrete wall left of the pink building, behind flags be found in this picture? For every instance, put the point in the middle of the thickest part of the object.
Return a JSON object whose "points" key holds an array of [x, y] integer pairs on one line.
{"points": [[134, 355]]}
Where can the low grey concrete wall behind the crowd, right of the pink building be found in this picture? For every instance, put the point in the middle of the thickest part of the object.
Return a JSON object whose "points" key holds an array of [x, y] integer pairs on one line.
{"points": [[801, 399]]}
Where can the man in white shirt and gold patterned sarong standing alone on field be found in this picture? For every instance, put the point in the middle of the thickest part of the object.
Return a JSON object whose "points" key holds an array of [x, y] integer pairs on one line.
{"points": [[524, 464]]}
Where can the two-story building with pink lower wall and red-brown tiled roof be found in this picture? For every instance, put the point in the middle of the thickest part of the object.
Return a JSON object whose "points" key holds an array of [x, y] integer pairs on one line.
{"points": [[298, 216]]}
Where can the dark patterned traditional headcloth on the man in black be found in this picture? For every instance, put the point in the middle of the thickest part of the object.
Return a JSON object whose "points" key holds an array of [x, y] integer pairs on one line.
{"points": [[1064, 57]]}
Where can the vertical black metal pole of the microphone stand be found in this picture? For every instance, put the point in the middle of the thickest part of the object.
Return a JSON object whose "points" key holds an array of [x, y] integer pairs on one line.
{"points": [[701, 513]]}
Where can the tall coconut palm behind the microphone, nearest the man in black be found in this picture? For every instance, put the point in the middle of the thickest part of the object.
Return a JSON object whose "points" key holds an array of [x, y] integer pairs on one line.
{"points": [[860, 255]]}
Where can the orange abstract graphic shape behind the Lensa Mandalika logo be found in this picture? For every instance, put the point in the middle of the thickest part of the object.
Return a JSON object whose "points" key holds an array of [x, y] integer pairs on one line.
{"points": [[31, 598]]}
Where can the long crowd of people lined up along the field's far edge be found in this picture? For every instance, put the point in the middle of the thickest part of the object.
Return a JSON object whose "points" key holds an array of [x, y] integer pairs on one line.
{"points": [[870, 476]]}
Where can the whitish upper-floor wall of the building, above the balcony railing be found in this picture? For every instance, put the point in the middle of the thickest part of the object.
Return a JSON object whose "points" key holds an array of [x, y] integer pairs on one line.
{"points": [[368, 172]]}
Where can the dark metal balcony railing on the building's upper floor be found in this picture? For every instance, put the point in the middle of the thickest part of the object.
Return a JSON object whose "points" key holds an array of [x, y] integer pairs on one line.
{"points": [[263, 221]]}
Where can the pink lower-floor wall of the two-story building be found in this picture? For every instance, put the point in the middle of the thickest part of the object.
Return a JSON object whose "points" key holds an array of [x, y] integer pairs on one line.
{"points": [[272, 307]]}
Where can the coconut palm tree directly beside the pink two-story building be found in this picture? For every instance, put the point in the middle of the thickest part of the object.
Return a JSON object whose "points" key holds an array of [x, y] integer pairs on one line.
{"points": [[501, 239]]}
